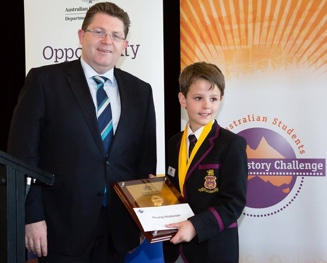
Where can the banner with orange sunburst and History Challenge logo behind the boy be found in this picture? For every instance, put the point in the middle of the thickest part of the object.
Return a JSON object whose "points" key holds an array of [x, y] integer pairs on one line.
{"points": [[274, 56]]}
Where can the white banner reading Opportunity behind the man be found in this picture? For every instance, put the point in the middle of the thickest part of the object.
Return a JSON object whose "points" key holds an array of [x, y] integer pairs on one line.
{"points": [[51, 37]]}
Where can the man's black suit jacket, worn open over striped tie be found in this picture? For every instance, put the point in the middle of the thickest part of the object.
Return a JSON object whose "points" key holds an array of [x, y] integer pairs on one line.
{"points": [[54, 127]]}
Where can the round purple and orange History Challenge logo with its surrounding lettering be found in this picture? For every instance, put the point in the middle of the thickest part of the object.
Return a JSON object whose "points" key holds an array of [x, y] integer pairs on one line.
{"points": [[277, 164]]}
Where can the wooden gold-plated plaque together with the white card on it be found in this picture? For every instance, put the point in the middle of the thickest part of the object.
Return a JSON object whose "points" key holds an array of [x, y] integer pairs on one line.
{"points": [[153, 203]]}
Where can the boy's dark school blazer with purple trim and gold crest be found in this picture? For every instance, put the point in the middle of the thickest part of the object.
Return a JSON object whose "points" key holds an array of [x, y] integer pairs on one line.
{"points": [[221, 159]]}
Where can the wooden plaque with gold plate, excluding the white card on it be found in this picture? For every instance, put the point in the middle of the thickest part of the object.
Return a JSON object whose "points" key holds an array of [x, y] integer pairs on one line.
{"points": [[151, 192]]}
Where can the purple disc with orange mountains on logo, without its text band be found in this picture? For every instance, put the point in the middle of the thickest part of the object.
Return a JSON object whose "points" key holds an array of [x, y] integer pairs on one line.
{"points": [[267, 190]]}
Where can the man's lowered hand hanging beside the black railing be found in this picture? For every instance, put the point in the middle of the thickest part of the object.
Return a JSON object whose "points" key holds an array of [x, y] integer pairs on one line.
{"points": [[36, 238]]}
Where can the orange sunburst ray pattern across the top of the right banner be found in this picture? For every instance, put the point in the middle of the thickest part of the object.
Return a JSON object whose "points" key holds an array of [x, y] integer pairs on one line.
{"points": [[257, 35]]}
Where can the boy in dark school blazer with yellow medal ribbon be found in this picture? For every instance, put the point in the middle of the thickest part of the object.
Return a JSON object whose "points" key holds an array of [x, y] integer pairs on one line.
{"points": [[211, 175]]}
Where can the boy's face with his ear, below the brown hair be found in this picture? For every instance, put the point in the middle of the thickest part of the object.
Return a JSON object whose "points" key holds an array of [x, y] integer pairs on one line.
{"points": [[201, 103]]}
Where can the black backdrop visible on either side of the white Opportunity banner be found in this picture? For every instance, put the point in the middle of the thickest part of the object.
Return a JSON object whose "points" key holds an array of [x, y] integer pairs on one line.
{"points": [[13, 48]]}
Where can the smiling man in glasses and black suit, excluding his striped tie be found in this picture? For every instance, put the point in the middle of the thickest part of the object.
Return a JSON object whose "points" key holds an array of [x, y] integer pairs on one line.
{"points": [[54, 126]]}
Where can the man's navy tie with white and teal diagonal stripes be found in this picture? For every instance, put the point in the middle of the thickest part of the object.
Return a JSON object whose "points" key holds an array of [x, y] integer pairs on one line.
{"points": [[104, 116]]}
